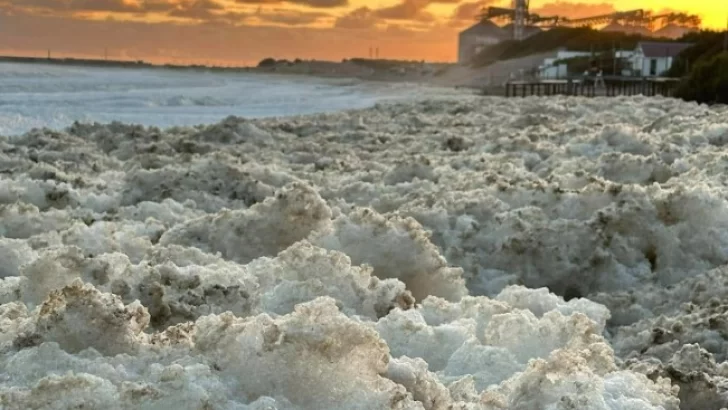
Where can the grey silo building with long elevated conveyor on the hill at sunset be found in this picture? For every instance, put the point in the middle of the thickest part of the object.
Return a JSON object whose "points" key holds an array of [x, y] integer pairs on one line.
{"points": [[518, 23]]}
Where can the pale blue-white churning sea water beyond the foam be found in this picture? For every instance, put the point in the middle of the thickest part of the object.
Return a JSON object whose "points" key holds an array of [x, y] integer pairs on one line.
{"points": [[36, 96]]}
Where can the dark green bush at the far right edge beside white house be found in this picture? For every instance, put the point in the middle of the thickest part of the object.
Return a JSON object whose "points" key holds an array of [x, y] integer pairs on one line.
{"points": [[707, 81]]}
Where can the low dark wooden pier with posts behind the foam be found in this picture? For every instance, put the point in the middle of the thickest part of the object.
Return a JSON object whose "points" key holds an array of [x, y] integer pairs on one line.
{"points": [[606, 87]]}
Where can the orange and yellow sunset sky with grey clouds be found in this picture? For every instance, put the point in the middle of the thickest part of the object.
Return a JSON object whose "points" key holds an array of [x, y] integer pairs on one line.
{"points": [[234, 32]]}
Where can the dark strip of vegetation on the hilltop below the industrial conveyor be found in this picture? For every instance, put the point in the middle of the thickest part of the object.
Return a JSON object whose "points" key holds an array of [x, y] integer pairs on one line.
{"points": [[572, 39]]}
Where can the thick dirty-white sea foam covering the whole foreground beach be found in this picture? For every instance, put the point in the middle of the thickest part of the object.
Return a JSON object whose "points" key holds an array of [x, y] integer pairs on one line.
{"points": [[463, 254]]}
